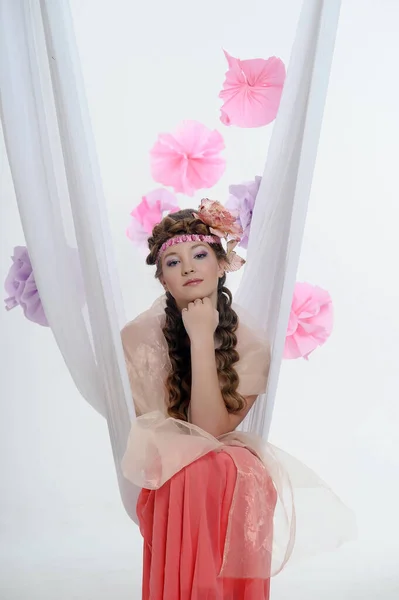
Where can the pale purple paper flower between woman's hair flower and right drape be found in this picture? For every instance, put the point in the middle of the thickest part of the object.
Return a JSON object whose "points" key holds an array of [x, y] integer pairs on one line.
{"points": [[241, 203]]}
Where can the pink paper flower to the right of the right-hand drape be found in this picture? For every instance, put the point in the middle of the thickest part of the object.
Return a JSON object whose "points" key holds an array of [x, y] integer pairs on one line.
{"points": [[311, 321]]}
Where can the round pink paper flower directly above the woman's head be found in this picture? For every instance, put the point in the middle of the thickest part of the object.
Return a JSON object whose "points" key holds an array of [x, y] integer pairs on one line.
{"points": [[189, 160]]}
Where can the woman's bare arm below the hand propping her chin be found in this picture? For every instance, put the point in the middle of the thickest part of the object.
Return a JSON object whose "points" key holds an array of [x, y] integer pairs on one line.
{"points": [[207, 407]]}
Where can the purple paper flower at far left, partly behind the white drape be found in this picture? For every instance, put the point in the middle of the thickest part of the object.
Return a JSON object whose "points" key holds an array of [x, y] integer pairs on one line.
{"points": [[21, 286]]}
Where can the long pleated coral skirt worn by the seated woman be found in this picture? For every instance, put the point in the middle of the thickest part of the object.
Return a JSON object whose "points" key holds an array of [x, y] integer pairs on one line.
{"points": [[184, 526]]}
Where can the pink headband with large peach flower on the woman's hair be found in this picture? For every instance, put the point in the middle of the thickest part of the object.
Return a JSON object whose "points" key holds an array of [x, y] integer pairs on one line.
{"points": [[222, 225]]}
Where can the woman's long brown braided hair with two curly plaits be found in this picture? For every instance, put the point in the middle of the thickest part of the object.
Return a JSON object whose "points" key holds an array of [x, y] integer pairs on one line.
{"points": [[178, 383]]}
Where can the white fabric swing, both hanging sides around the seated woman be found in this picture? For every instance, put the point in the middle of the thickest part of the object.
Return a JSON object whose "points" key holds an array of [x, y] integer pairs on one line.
{"points": [[59, 193]]}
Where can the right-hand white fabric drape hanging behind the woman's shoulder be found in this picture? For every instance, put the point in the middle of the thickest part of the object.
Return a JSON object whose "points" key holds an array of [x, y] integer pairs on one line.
{"points": [[278, 223]]}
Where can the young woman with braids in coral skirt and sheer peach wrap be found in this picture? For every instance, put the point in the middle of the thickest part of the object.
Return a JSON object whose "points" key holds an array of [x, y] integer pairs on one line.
{"points": [[209, 493]]}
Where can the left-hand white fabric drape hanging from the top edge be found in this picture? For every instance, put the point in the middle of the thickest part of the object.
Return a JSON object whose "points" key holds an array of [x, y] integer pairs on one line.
{"points": [[58, 188]]}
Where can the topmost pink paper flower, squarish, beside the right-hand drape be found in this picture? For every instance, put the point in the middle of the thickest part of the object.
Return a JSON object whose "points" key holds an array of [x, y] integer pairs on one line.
{"points": [[252, 91]]}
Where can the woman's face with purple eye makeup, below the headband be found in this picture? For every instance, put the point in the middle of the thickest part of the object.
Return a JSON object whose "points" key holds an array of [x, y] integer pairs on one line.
{"points": [[190, 270]]}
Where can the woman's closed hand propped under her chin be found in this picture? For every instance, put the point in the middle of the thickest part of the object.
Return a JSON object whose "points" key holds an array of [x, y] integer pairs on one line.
{"points": [[200, 319]]}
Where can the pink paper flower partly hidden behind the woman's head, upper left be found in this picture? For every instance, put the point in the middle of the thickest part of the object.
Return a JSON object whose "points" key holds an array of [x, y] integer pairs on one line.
{"points": [[148, 213]]}
